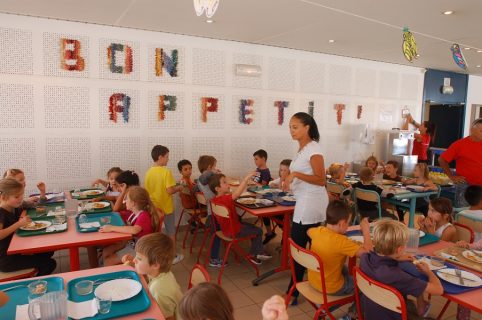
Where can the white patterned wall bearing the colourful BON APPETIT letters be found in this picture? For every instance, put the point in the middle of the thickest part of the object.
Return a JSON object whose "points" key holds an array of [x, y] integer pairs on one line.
{"points": [[54, 123]]}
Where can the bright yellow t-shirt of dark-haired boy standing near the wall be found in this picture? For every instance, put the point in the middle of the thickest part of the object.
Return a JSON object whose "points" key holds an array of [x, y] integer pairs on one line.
{"points": [[156, 182]]}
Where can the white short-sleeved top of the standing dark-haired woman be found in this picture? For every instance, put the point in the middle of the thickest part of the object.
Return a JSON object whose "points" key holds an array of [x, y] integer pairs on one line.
{"points": [[311, 200]]}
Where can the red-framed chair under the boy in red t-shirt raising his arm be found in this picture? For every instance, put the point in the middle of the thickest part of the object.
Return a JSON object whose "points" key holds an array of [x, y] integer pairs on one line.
{"points": [[232, 242]]}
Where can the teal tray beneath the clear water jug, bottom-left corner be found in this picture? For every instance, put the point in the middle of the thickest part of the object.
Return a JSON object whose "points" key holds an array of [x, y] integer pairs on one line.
{"points": [[19, 296]]}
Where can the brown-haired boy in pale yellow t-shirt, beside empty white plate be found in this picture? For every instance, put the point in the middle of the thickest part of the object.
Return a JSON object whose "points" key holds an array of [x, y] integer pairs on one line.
{"points": [[154, 256]]}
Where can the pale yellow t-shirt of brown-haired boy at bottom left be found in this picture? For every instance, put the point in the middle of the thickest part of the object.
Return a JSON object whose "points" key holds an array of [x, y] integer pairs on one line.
{"points": [[167, 293]]}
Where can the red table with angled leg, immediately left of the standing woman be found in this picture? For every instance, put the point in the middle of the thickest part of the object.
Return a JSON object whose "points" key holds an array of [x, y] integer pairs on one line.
{"points": [[270, 212]]}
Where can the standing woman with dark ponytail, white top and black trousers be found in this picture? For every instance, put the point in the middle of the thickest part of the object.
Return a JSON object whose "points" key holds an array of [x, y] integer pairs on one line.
{"points": [[307, 180]]}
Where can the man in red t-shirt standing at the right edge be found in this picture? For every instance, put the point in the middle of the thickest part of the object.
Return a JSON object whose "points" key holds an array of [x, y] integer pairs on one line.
{"points": [[467, 153]]}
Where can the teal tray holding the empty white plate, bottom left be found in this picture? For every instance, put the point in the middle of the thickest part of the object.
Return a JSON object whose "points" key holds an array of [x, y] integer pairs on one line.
{"points": [[136, 304]]}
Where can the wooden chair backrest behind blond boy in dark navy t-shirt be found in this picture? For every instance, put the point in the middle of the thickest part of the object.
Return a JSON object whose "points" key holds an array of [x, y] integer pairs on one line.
{"points": [[379, 293]]}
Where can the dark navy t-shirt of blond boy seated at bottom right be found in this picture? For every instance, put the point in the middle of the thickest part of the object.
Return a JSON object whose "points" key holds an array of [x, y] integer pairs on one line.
{"points": [[387, 271]]}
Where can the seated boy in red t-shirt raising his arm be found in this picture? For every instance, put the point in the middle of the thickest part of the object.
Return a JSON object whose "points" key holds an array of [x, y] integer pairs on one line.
{"points": [[232, 226]]}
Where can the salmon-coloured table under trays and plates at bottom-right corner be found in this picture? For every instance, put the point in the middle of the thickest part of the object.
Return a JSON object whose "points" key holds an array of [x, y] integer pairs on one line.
{"points": [[471, 299]]}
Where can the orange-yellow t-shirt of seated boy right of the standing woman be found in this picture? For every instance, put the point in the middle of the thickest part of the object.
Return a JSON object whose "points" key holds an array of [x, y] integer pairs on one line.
{"points": [[333, 248]]}
